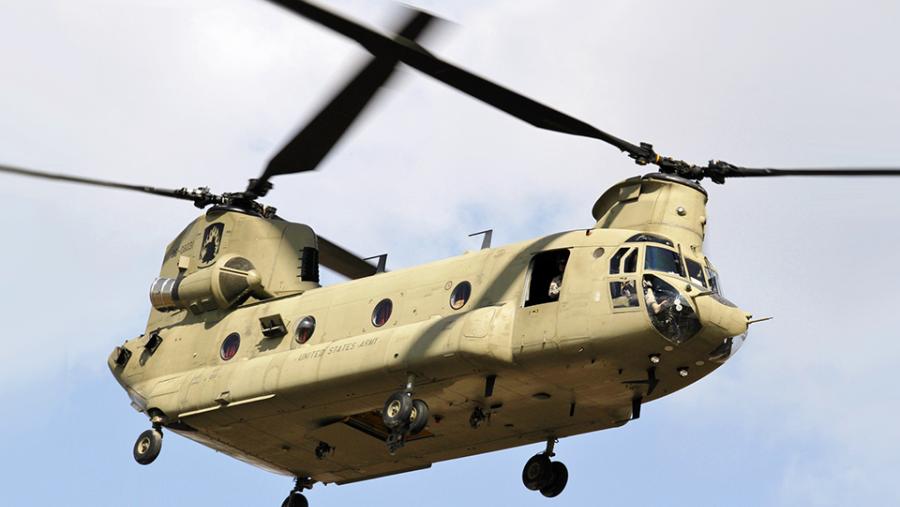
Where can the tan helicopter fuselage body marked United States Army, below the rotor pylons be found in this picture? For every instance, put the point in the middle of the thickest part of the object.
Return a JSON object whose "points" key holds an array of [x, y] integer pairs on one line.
{"points": [[562, 367]]}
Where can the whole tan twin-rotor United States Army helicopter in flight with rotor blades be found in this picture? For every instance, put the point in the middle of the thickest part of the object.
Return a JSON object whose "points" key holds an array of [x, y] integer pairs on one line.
{"points": [[563, 334]]}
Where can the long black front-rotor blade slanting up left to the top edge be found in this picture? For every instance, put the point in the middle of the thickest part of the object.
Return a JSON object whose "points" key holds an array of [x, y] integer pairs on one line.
{"points": [[502, 98]]}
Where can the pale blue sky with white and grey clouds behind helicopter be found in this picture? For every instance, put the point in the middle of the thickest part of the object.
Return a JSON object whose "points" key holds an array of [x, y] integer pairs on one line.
{"points": [[202, 93]]}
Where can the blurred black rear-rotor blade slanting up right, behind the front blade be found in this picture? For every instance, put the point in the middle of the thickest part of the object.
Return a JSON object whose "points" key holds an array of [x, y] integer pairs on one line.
{"points": [[314, 141]]}
